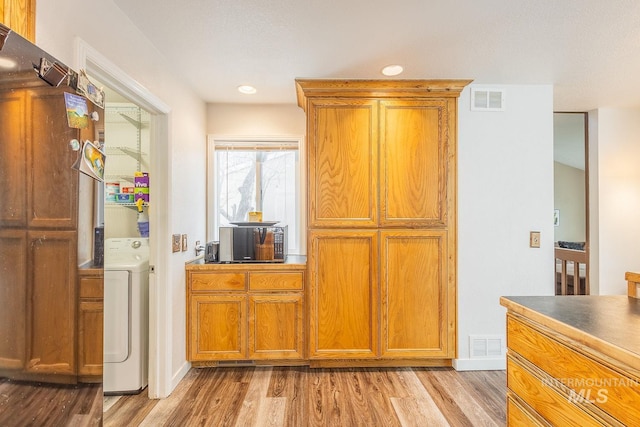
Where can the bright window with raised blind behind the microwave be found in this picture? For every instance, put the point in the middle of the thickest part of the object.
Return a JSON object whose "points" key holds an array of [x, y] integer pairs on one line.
{"points": [[255, 175]]}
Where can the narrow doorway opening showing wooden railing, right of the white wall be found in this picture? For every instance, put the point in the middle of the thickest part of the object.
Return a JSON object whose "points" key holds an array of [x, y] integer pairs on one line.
{"points": [[571, 203]]}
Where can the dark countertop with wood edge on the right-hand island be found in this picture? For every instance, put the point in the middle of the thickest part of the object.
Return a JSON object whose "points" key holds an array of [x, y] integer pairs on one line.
{"points": [[609, 324]]}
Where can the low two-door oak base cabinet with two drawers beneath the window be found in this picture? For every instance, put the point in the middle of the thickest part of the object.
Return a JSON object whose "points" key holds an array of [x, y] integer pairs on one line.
{"points": [[245, 312]]}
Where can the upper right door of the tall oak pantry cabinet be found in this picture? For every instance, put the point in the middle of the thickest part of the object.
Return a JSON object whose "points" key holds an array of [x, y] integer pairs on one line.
{"points": [[415, 162]]}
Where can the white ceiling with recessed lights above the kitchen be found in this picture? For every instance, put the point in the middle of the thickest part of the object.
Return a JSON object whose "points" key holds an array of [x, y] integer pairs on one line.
{"points": [[589, 50]]}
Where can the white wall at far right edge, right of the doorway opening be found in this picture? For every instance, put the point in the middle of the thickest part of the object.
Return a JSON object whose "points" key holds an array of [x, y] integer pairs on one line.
{"points": [[618, 196]]}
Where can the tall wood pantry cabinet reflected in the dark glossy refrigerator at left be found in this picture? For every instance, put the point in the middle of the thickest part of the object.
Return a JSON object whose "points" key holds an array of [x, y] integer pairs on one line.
{"points": [[38, 234]]}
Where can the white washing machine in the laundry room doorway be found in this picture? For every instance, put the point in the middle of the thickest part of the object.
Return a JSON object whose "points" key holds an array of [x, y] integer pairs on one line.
{"points": [[126, 315]]}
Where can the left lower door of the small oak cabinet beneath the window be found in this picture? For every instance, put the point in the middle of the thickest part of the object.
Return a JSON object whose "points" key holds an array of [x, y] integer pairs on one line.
{"points": [[218, 327]]}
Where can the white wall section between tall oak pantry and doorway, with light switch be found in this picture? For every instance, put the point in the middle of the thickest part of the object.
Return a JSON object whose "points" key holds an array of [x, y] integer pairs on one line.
{"points": [[505, 190]]}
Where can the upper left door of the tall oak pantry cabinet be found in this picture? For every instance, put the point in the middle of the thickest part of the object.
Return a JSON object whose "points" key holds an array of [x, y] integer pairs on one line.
{"points": [[343, 163]]}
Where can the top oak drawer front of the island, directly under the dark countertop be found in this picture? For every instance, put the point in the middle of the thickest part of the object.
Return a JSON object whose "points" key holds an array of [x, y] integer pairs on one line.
{"points": [[609, 389]]}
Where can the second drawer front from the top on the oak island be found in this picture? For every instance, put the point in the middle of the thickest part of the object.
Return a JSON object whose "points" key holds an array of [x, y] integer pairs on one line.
{"points": [[554, 406]]}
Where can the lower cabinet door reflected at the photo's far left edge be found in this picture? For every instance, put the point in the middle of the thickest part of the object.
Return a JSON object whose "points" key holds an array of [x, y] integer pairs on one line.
{"points": [[13, 300]]}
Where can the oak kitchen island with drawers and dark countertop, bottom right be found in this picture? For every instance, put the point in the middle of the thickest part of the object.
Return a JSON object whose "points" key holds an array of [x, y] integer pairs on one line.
{"points": [[573, 360]]}
